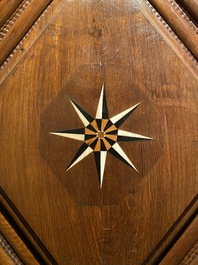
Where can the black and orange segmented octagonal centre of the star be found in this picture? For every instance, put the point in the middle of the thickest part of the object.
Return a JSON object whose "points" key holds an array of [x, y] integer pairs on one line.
{"points": [[101, 134]]}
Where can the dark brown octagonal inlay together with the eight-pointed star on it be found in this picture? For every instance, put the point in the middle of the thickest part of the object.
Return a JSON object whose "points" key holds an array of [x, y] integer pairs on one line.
{"points": [[108, 180]]}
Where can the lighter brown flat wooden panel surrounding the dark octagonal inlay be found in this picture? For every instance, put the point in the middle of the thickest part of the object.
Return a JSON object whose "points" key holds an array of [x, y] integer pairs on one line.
{"points": [[108, 35]]}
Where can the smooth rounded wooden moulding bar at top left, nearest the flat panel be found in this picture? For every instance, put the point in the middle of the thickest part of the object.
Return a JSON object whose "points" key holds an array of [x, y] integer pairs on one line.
{"points": [[20, 27]]}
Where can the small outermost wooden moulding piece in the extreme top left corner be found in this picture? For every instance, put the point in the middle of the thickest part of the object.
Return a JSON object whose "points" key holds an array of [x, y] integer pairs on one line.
{"points": [[7, 8]]}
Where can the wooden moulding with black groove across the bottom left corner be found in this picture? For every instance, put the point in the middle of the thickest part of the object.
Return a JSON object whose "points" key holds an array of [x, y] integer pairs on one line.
{"points": [[19, 234]]}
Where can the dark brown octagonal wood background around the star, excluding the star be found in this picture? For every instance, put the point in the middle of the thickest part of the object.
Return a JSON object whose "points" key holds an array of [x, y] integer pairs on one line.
{"points": [[85, 190]]}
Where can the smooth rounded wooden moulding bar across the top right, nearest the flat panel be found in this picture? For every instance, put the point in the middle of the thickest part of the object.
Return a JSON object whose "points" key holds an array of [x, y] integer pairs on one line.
{"points": [[186, 31]]}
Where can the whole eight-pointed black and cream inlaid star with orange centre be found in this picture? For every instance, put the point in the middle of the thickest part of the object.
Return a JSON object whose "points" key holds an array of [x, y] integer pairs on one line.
{"points": [[101, 135]]}
